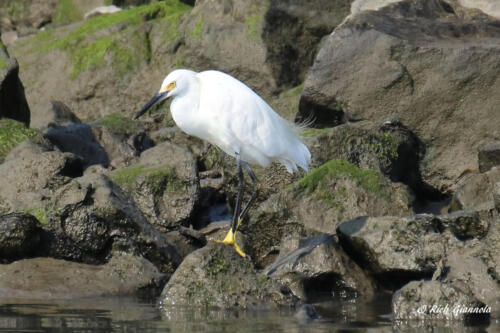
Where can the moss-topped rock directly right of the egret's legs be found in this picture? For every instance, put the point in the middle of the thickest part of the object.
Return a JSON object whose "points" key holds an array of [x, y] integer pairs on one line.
{"points": [[332, 193]]}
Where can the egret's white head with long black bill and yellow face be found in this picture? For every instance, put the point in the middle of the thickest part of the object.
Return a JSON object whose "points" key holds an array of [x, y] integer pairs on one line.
{"points": [[174, 84]]}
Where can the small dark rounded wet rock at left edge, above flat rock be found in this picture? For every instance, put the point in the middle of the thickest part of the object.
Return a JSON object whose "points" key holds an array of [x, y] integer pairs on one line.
{"points": [[19, 236]]}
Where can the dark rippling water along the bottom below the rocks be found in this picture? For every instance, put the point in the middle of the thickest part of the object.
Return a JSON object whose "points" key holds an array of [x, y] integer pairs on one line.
{"points": [[130, 315]]}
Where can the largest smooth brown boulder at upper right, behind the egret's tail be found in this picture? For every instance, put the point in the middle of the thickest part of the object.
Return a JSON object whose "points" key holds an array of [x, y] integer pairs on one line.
{"points": [[417, 69]]}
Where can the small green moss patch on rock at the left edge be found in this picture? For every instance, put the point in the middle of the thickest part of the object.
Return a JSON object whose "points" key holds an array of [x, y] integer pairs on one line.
{"points": [[13, 133]]}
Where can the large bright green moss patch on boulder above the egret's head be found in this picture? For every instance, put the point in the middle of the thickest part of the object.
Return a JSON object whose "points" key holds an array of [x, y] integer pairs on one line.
{"points": [[87, 45]]}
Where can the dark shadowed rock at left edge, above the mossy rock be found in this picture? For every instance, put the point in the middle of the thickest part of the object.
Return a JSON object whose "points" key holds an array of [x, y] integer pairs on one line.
{"points": [[13, 103]]}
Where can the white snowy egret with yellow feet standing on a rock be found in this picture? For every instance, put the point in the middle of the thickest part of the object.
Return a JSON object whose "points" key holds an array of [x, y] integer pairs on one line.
{"points": [[220, 109]]}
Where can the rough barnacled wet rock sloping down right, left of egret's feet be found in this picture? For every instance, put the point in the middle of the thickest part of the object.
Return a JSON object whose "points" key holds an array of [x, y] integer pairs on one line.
{"points": [[93, 216]]}
